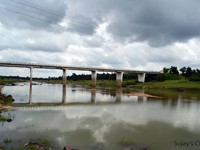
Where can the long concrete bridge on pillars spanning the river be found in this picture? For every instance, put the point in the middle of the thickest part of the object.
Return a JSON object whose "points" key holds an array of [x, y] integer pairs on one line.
{"points": [[94, 70]]}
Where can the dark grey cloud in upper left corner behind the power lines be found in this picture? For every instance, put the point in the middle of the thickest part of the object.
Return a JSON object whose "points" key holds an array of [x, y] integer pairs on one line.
{"points": [[35, 14]]}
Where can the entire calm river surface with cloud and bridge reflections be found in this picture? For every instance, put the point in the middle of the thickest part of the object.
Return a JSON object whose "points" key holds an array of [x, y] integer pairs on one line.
{"points": [[102, 119]]}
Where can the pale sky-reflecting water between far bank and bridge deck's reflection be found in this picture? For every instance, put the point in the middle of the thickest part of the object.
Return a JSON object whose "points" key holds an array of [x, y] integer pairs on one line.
{"points": [[47, 93]]}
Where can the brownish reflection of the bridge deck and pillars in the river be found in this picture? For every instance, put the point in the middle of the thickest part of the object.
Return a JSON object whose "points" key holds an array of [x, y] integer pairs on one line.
{"points": [[117, 95]]}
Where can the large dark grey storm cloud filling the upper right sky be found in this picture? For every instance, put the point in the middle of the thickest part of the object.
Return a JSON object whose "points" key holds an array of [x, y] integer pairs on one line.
{"points": [[158, 22]]}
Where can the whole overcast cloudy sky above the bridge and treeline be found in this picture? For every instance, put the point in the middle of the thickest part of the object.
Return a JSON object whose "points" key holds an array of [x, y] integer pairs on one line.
{"points": [[134, 34]]}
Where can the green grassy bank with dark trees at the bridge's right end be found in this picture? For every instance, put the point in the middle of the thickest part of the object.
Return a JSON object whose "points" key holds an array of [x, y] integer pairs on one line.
{"points": [[170, 78]]}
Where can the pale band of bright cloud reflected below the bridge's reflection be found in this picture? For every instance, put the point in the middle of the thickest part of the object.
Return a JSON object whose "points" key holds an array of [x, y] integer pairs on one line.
{"points": [[95, 117]]}
